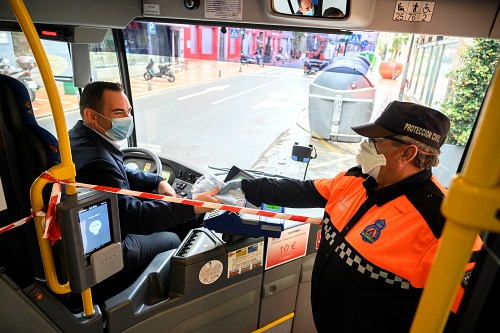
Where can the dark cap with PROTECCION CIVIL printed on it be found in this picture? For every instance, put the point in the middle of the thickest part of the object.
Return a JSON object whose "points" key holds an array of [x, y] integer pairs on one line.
{"points": [[419, 122]]}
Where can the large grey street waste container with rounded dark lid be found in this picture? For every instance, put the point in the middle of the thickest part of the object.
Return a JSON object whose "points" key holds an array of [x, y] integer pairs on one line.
{"points": [[340, 97]]}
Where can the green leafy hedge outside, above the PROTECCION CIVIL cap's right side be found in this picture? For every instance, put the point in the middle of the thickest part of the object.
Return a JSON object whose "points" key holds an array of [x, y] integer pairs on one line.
{"points": [[469, 86]]}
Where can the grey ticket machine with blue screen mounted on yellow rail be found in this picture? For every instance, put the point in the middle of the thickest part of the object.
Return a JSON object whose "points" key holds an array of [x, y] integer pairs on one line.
{"points": [[90, 233]]}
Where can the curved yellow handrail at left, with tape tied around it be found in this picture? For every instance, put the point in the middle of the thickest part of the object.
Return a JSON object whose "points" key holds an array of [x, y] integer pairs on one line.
{"points": [[65, 171]]}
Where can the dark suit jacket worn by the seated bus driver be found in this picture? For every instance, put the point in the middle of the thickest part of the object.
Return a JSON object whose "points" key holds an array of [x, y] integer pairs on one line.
{"points": [[98, 162]]}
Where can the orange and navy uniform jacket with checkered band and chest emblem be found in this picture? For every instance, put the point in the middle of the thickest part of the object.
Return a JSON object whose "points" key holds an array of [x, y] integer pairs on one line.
{"points": [[376, 249]]}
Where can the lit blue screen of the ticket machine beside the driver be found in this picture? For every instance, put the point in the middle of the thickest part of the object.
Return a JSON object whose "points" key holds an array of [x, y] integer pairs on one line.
{"points": [[95, 226]]}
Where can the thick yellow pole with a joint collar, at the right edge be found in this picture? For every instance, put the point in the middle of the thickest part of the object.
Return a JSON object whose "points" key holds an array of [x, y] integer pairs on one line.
{"points": [[472, 204]]}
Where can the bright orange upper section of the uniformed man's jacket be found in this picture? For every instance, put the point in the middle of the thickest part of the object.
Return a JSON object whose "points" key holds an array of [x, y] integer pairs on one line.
{"points": [[405, 246]]}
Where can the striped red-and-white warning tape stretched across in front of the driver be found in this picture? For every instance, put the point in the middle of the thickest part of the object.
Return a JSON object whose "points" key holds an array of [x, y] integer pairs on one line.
{"points": [[146, 195]]}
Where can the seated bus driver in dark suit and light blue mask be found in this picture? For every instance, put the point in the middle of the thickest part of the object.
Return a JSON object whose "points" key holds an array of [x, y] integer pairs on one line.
{"points": [[106, 119]]}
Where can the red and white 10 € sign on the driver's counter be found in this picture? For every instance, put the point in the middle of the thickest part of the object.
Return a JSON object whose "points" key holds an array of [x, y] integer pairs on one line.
{"points": [[291, 245]]}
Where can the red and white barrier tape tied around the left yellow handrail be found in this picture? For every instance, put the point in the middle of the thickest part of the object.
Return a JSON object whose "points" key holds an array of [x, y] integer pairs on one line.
{"points": [[56, 196]]}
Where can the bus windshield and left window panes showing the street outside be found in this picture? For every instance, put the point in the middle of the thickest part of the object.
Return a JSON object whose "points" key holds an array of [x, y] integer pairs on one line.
{"points": [[216, 97]]}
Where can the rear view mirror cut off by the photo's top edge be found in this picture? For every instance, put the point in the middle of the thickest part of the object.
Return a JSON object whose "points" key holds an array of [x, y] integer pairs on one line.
{"points": [[332, 9]]}
